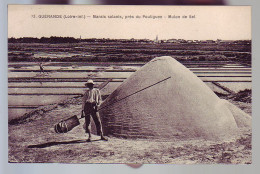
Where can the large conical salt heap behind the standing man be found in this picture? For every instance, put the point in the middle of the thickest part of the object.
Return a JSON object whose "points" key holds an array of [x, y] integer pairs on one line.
{"points": [[164, 99]]}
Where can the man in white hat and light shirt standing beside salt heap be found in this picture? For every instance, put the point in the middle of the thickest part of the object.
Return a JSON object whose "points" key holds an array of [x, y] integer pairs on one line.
{"points": [[91, 101]]}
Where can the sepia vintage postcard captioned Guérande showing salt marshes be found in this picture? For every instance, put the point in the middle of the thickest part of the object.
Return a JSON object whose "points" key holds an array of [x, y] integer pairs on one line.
{"points": [[129, 84]]}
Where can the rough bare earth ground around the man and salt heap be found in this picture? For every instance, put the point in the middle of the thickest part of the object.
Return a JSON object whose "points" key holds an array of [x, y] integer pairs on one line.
{"points": [[32, 139]]}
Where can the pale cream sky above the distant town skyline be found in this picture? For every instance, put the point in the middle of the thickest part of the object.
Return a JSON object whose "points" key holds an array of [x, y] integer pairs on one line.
{"points": [[212, 22]]}
